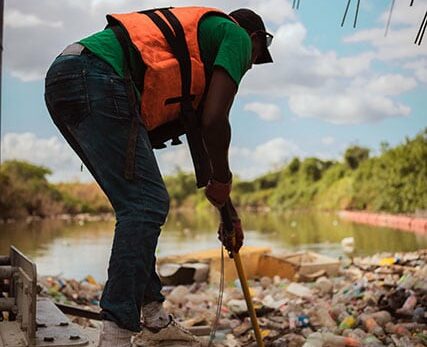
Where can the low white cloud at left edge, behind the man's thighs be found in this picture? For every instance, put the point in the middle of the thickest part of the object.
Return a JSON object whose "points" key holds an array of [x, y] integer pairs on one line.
{"points": [[50, 152]]}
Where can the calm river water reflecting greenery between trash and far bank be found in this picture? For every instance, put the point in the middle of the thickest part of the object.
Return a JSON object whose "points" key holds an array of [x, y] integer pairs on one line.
{"points": [[78, 249]]}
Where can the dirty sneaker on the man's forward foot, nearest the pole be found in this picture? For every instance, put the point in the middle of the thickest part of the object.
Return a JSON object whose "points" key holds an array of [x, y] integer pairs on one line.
{"points": [[172, 334]]}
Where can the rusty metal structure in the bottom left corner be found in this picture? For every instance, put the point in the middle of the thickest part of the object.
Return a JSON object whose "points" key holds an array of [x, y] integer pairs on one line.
{"points": [[26, 319]]}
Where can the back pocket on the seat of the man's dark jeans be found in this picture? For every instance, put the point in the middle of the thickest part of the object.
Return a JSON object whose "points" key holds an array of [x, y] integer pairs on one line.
{"points": [[67, 98]]}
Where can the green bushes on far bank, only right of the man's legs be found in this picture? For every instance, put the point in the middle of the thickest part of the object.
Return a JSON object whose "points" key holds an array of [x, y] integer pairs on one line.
{"points": [[395, 181]]}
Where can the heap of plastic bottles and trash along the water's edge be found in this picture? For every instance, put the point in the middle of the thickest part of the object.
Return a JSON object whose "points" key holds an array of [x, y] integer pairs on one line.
{"points": [[374, 301]]}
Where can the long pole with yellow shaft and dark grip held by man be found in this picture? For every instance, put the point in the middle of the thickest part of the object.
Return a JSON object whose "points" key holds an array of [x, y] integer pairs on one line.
{"points": [[228, 223]]}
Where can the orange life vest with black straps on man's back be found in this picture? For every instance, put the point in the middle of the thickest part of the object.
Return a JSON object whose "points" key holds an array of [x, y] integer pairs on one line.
{"points": [[162, 80]]}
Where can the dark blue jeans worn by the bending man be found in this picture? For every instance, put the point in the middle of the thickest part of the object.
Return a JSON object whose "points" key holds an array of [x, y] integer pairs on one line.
{"points": [[90, 105]]}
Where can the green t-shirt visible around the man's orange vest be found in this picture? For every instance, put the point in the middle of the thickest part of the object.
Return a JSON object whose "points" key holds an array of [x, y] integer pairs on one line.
{"points": [[222, 43]]}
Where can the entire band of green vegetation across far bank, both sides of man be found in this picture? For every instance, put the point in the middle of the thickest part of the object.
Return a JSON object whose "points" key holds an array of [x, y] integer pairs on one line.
{"points": [[395, 181]]}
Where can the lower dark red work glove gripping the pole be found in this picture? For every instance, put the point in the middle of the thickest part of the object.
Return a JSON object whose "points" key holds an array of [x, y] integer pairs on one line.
{"points": [[231, 239]]}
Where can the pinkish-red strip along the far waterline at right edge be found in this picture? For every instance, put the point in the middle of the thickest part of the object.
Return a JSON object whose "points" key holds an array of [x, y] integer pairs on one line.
{"points": [[401, 222]]}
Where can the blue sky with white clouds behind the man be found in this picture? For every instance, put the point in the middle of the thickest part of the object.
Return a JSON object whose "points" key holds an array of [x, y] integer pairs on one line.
{"points": [[329, 86]]}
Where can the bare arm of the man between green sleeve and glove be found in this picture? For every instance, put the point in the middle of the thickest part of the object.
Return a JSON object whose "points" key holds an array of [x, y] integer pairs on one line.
{"points": [[216, 128]]}
